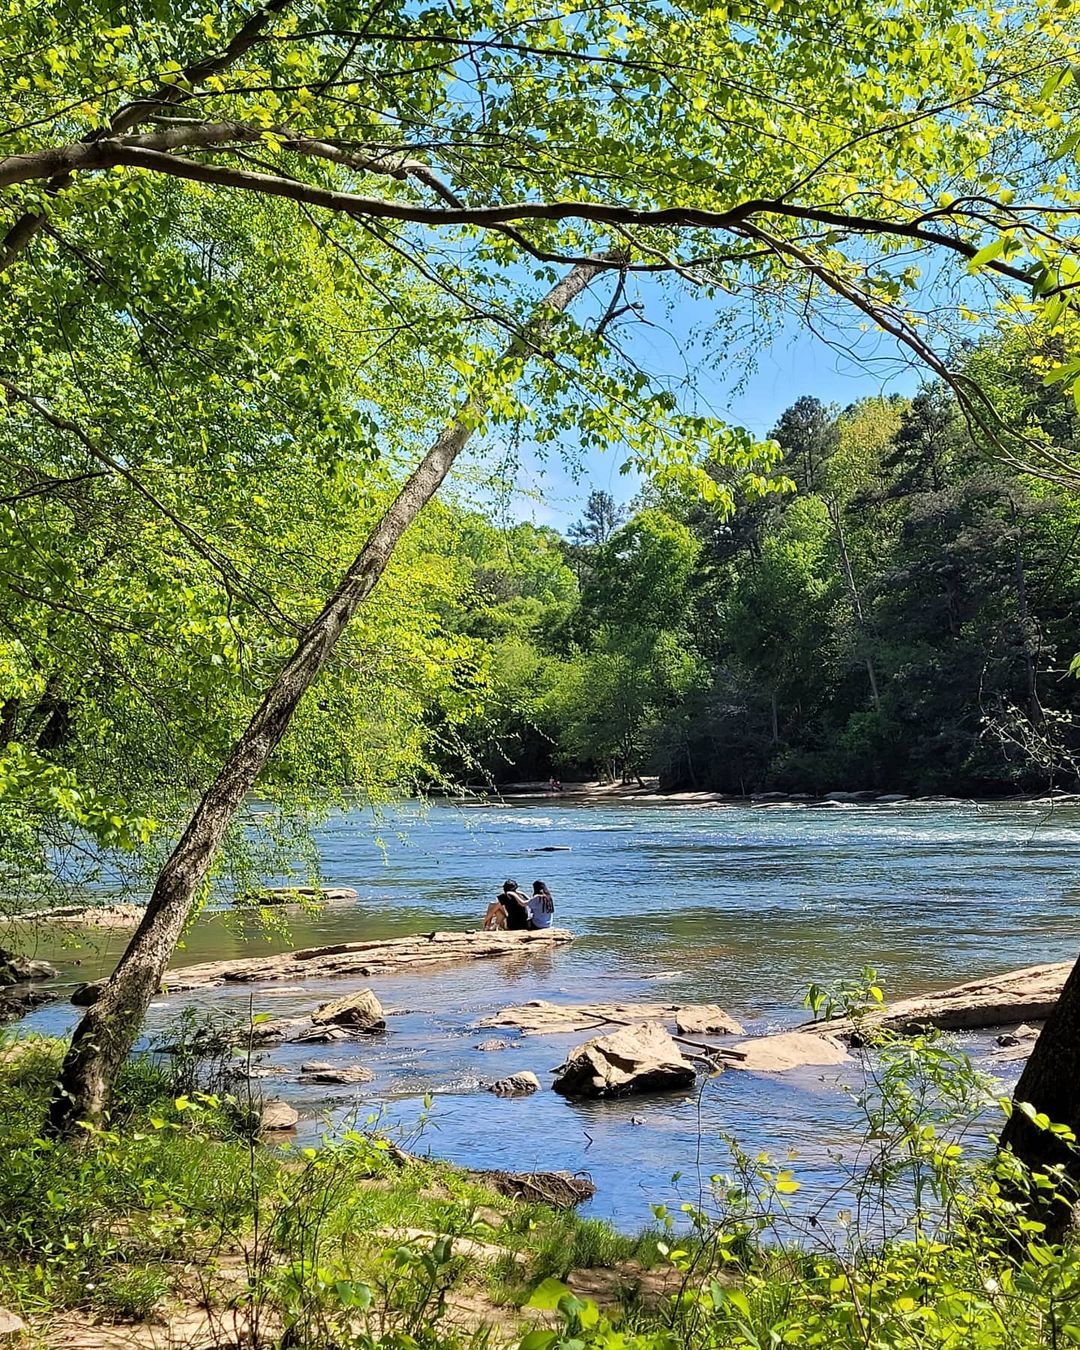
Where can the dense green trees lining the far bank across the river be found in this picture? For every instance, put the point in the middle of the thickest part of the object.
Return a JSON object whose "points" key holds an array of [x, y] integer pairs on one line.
{"points": [[904, 618]]}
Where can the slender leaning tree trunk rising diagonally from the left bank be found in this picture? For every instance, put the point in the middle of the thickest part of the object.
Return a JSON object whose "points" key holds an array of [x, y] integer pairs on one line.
{"points": [[105, 1037]]}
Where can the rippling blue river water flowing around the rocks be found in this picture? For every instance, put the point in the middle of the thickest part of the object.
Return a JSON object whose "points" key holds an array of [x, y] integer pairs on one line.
{"points": [[740, 907]]}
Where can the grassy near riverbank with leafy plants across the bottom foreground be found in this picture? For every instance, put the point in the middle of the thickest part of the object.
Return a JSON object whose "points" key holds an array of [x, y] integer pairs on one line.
{"points": [[179, 1231]]}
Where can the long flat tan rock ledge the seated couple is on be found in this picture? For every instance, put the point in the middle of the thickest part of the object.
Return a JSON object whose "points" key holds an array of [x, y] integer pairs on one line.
{"points": [[426, 951]]}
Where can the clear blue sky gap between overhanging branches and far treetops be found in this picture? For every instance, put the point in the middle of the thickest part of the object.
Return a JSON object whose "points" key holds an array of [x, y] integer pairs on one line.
{"points": [[751, 388]]}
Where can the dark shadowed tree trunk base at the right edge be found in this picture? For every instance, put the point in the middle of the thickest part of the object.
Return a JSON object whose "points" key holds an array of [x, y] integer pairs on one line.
{"points": [[1051, 1083]]}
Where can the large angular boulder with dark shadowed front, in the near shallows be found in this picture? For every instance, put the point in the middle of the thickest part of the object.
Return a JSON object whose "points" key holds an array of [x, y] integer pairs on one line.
{"points": [[637, 1059]]}
